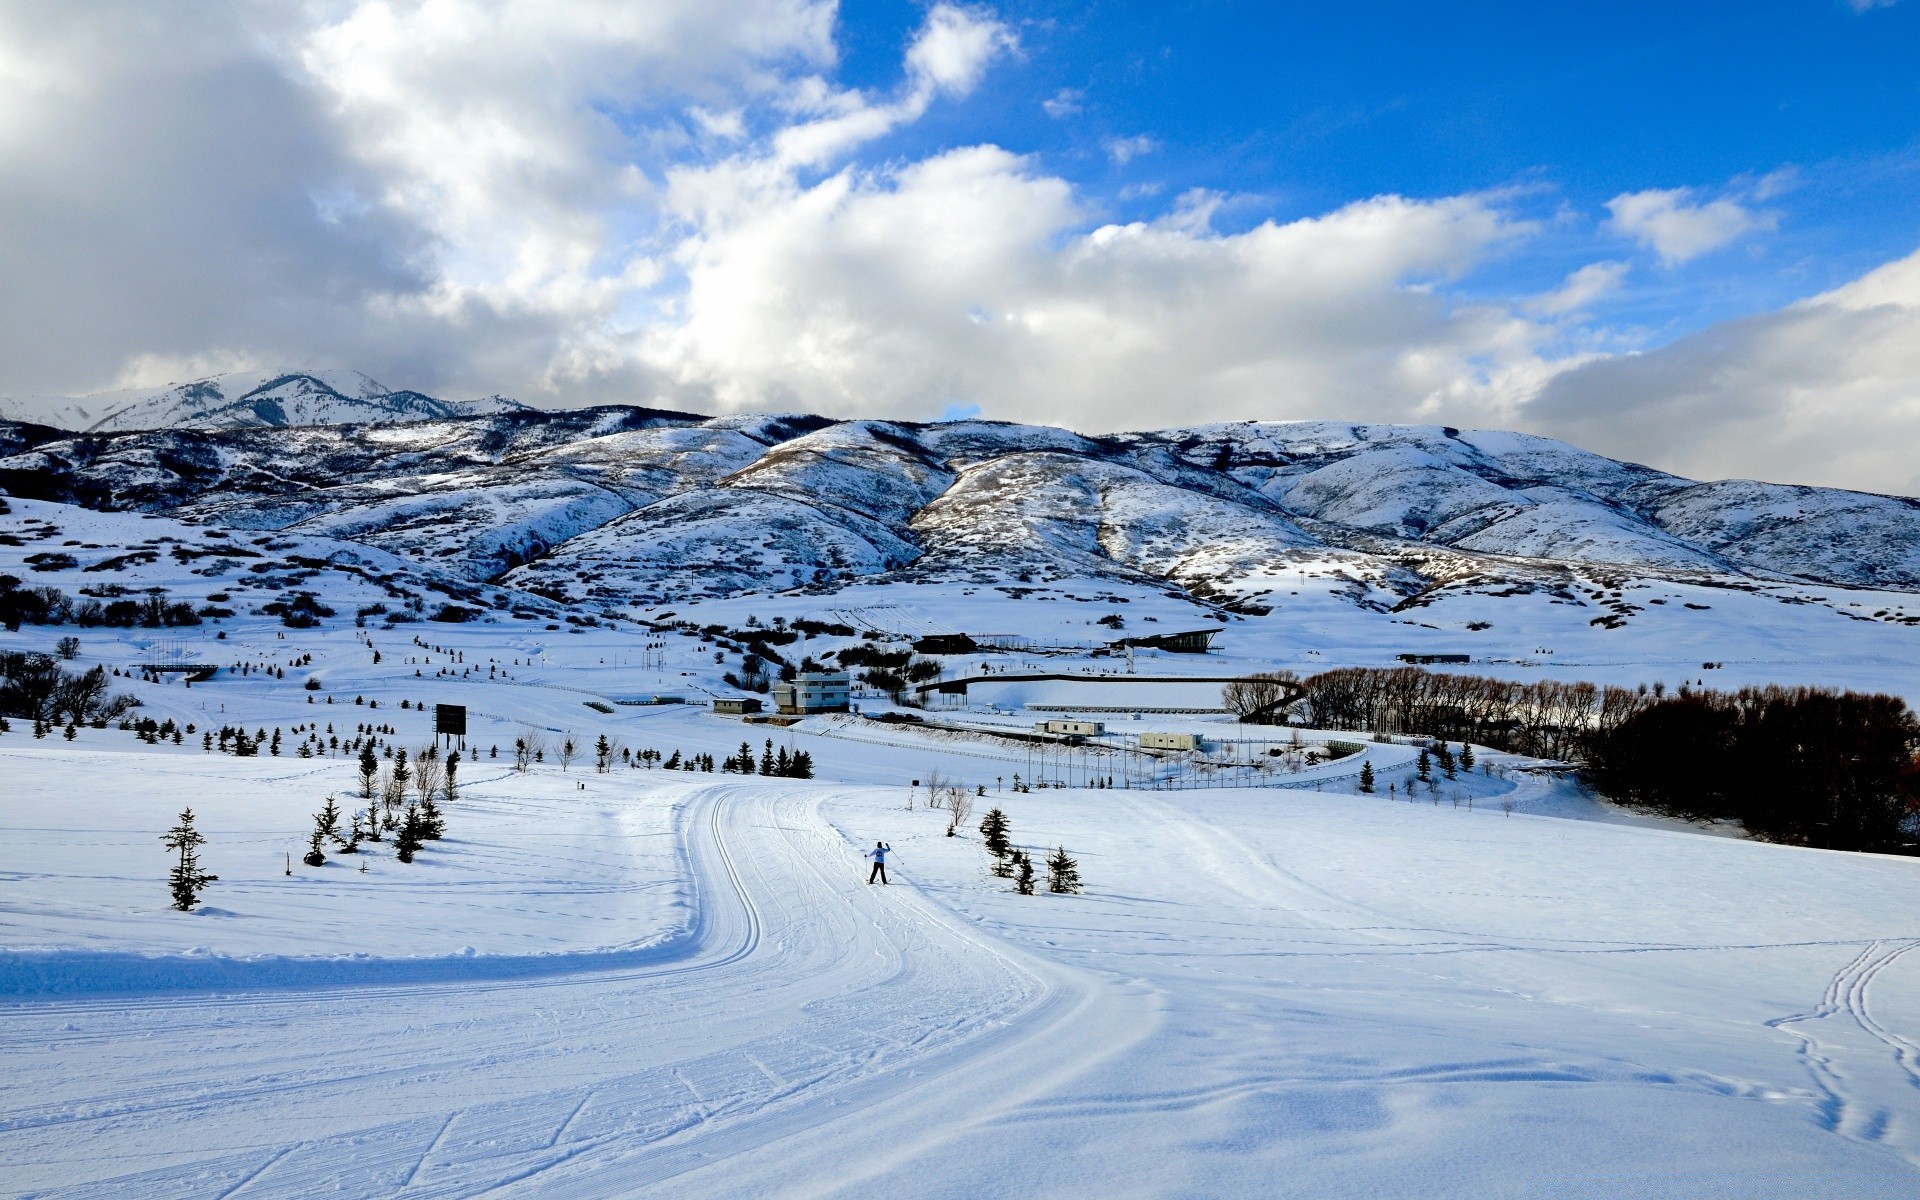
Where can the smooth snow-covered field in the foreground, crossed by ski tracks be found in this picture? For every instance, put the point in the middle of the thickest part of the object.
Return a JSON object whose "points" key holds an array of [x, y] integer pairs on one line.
{"points": [[675, 984]]}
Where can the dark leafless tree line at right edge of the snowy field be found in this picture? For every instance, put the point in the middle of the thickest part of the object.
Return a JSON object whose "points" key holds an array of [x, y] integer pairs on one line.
{"points": [[1796, 765]]}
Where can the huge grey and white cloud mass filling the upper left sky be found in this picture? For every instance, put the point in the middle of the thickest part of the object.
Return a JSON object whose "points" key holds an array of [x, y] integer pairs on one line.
{"points": [[441, 193]]}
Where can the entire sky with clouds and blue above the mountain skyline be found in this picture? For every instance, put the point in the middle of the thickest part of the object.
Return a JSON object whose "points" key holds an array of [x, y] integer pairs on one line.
{"points": [[1675, 233]]}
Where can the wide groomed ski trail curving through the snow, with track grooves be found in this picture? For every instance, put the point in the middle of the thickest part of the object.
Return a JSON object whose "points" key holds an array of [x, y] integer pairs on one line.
{"points": [[800, 1003]]}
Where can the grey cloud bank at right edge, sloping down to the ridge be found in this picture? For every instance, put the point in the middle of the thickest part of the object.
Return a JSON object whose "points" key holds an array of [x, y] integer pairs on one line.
{"points": [[1821, 393]]}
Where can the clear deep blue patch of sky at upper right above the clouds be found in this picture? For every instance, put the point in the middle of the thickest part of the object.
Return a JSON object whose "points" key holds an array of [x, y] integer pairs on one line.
{"points": [[1293, 110]]}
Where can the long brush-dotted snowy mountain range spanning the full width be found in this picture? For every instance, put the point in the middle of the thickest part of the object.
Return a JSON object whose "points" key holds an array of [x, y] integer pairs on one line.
{"points": [[623, 506]]}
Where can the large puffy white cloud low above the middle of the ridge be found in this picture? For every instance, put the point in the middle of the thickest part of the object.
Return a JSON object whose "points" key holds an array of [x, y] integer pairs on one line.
{"points": [[967, 277]]}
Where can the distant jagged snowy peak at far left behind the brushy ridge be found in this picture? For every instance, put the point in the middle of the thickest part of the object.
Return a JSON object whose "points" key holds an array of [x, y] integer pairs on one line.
{"points": [[249, 400]]}
